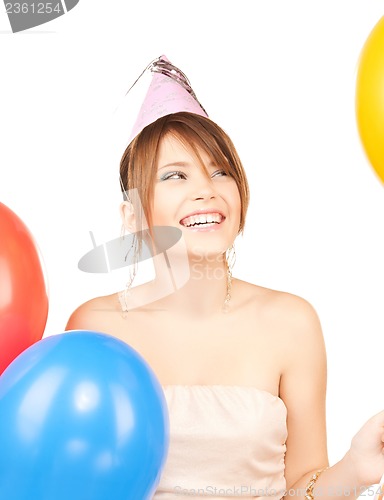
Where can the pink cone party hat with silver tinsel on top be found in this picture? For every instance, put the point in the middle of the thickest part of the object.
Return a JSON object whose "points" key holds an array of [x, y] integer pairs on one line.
{"points": [[169, 92]]}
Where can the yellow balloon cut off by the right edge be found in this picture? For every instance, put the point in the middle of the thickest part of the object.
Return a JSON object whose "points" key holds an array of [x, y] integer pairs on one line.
{"points": [[370, 98]]}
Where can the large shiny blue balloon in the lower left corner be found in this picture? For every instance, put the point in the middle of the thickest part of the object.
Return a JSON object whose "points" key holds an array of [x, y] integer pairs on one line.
{"points": [[82, 417]]}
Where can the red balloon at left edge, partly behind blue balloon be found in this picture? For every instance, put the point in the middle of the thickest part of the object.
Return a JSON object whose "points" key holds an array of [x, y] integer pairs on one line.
{"points": [[23, 291]]}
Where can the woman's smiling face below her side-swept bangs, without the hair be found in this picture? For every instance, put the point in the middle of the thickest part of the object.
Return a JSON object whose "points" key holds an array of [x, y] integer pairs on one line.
{"points": [[196, 195]]}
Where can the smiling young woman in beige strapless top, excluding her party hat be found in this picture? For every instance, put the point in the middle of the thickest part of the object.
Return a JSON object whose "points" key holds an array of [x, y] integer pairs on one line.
{"points": [[243, 367]]}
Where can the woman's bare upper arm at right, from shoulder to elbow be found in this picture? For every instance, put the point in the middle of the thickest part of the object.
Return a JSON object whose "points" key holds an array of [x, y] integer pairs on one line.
{"points": [[303, 389]]}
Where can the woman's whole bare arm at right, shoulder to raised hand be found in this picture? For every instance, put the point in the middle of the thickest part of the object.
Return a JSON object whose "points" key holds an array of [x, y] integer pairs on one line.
{"points": [[303, 389]]}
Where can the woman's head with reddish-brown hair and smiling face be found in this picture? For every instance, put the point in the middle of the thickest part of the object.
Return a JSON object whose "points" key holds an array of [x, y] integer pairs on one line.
{"points": [[202, 152]]}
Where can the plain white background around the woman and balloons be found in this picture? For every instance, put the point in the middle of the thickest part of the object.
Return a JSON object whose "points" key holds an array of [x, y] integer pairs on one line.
{"points": [[279, 77]]}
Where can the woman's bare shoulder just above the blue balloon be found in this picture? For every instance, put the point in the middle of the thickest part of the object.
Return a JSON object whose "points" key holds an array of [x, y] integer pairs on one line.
{"points": [[96, 314]]}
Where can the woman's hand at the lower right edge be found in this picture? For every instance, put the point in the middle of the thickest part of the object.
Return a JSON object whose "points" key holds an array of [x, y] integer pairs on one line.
{"points": [[366, 453]]}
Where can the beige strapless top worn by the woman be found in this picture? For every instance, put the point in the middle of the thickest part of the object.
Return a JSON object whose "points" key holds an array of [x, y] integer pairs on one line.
{"points": [[225, 442]]}
